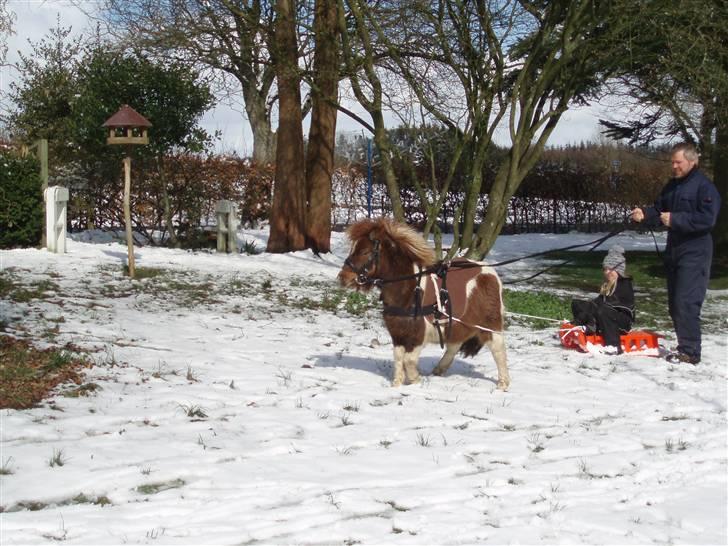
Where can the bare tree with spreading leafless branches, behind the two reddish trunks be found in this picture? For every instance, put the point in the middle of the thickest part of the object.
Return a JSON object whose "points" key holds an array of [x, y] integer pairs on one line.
{"points": [[231, 38]]}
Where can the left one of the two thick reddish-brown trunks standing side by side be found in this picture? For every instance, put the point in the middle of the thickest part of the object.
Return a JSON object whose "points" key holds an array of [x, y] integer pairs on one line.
{"points": [[288, 213]]}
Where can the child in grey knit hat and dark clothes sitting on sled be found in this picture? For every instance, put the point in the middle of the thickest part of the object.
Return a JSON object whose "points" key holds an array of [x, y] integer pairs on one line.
{"points": [[612, 311]]}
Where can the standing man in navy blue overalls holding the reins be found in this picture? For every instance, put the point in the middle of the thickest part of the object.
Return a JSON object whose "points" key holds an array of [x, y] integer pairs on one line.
{"points": [[688, 205]]}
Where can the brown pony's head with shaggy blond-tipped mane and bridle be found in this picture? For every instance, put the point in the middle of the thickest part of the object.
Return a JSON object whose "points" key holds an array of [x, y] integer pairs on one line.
{"points": [[381, 249]]}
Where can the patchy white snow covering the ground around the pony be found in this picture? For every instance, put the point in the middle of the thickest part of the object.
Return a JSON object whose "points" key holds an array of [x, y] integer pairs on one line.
{"points": [[229, 413]]}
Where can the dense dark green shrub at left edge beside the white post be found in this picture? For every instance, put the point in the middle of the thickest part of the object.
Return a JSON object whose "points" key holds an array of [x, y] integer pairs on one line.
{"points": [[21, 201]]}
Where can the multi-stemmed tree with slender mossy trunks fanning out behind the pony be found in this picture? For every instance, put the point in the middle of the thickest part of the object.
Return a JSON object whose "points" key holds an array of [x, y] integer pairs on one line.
{"points": [[472, 64]]}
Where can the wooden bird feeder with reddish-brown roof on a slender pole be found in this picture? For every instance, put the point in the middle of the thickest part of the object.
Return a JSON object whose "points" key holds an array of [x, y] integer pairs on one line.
{"points": [[128, 127]]}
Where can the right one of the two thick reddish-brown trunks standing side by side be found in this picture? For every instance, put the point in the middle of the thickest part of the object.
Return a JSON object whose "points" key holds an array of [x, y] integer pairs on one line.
{"points": [[322, 135]]}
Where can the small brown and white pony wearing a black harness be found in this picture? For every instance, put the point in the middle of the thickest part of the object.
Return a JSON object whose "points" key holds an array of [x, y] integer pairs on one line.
{"points": [[395, 258]]}
